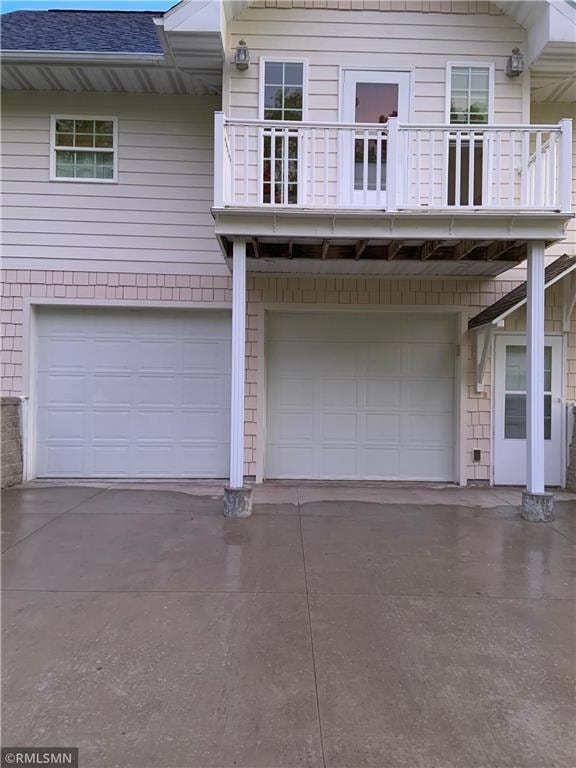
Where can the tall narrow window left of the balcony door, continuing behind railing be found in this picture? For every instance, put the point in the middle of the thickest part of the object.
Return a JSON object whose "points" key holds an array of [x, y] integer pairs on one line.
{"points": [[282, 99]]}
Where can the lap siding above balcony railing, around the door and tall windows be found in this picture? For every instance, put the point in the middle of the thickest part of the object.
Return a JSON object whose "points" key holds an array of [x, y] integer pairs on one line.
{"points": [[331, 39]]}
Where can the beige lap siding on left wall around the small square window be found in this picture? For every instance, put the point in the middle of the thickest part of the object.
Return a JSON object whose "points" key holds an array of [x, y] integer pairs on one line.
{"points": [[158, 212]]}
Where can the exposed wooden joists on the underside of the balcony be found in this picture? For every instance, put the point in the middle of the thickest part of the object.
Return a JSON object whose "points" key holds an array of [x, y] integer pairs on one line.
{"points": [[381, 257]]}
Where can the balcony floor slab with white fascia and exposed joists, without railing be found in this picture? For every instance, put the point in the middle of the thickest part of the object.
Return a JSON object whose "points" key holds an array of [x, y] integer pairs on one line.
{"points": [[373, 242]]}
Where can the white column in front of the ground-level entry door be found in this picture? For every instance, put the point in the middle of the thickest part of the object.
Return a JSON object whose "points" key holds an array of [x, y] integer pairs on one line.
{"points": [[535, 369]]}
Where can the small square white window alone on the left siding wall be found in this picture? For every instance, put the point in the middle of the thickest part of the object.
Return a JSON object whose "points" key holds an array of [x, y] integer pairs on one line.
{"points": [[83, 149]]}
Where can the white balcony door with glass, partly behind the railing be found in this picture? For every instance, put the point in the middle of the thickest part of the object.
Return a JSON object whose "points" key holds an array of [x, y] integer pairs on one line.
{"points": [[370, 98]]}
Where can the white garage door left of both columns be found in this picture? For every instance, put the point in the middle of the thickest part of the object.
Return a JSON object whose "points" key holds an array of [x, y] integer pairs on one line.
{"points": [[132, 393]]}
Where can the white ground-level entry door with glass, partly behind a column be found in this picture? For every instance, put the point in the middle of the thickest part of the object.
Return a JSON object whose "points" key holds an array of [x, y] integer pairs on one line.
{"points": [[510, 411]]}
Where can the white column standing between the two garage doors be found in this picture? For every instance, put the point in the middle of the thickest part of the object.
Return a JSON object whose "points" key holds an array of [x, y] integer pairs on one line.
{"points": [[238, 363]]}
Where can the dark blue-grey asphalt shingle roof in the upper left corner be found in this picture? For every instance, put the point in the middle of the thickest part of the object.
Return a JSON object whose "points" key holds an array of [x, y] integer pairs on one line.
{"points": [[98, 31]]}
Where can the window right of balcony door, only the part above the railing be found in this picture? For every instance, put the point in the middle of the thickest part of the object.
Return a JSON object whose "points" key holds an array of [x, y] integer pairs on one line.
{"points": [[470, 93]]}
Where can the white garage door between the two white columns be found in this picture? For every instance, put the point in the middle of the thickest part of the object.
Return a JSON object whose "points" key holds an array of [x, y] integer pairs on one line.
{"points": [[367, 396]]}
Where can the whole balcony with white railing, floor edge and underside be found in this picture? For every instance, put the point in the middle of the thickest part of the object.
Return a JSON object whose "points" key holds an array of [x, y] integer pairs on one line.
{"points": [[404, 192]]}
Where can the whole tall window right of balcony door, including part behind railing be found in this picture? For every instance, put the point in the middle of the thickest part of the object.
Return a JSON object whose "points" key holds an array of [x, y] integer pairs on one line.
{"points": [[470, 93]]}
